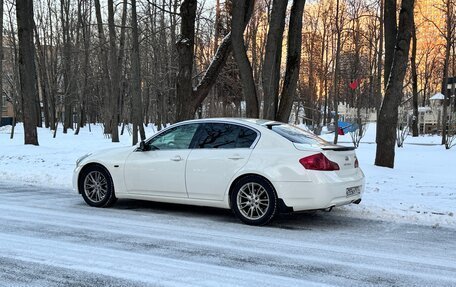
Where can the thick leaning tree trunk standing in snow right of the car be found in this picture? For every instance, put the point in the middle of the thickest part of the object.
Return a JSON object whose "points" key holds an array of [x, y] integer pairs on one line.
{"points": [[387, 121]]}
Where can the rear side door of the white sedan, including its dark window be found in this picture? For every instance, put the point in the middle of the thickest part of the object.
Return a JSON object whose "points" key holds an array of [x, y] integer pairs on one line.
{"points": [[220, 151]]}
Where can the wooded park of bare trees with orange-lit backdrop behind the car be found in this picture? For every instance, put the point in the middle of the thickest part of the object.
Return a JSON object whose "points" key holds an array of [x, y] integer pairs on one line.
{"points": [[73, 62]]}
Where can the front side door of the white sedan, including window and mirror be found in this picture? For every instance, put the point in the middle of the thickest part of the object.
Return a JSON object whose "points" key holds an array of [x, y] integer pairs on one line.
{"points": [[160, 171]]}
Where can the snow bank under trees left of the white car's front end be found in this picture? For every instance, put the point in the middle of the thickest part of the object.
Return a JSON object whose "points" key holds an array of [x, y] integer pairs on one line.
{"points": [[52, 162]]}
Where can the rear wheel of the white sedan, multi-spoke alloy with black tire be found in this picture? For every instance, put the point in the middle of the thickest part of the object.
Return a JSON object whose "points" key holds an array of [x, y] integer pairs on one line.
{"points": [[254, 200]]}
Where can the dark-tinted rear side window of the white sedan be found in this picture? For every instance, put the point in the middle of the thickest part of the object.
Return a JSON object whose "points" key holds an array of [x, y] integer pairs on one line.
{"points": [[220, 135]]}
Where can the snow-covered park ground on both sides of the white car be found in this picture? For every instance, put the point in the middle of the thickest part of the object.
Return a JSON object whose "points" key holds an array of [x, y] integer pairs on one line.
{"points": [[420, 189]]}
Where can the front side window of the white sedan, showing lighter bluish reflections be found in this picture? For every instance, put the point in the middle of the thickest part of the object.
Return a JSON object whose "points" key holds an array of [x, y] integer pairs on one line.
{"points": [[179, 137]]}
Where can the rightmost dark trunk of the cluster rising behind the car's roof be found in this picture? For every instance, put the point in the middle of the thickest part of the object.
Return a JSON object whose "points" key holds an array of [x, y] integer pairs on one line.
{"points": [[293, 61]]}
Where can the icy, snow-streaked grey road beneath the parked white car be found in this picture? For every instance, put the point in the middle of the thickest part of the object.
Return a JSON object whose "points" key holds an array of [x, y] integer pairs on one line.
{"points": [[49, 237]]}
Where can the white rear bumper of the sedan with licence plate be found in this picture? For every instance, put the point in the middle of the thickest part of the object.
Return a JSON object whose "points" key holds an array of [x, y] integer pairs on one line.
{"points": [[310, 195]]}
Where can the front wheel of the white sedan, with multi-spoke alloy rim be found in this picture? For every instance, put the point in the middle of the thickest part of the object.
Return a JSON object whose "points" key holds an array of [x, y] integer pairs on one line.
{"points": [[96, 187]]}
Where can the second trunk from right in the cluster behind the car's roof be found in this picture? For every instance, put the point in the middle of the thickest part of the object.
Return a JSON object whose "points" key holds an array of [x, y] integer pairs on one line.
{"points": [[272, 59]]}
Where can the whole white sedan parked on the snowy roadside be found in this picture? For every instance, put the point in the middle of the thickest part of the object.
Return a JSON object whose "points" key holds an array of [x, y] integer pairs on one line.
{"points": [[257, 168]]}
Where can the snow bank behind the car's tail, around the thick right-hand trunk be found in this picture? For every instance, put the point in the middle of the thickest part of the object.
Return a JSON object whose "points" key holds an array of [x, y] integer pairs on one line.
{"points": [[421, 188]]}
